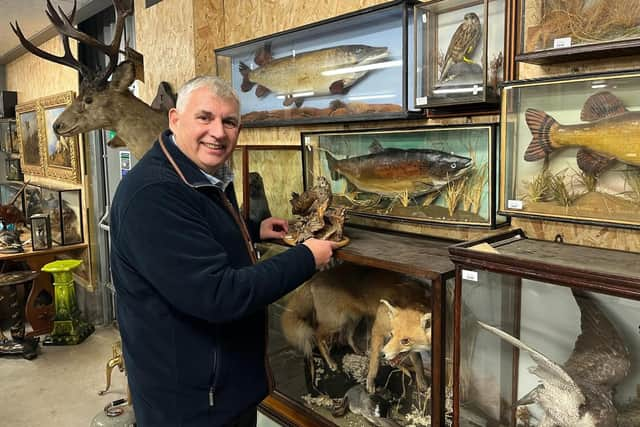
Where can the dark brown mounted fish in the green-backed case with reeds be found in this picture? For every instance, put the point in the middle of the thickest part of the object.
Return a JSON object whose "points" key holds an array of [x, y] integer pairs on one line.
{"points": [[392, 171]]}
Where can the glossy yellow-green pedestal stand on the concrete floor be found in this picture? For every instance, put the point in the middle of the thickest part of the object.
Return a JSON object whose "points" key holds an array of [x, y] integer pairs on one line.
{"points": [[68, 328]]}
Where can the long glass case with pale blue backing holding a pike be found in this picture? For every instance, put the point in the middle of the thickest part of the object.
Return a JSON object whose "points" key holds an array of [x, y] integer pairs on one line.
{"points": [[351, 67]]}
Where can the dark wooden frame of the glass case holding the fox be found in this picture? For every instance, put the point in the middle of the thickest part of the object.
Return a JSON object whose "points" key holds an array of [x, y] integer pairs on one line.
{"points": [[418, 256]]}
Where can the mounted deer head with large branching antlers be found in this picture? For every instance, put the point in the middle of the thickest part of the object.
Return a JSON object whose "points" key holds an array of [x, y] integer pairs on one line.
{"points": [[102, 103]]}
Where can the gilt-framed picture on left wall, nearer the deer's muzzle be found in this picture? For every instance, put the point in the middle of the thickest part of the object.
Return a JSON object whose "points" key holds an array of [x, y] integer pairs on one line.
{"points": [[60, 153]]}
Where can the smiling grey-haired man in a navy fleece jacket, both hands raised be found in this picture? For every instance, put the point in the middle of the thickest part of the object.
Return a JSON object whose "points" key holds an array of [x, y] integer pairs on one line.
{"points": [[191, 300]]}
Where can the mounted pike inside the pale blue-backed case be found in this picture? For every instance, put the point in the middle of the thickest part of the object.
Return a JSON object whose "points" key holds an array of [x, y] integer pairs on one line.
{"points": [[310, 72]]}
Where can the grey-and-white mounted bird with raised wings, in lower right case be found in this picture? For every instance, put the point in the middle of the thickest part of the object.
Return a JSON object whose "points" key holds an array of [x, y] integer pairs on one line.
{"points": [[579, 393]]}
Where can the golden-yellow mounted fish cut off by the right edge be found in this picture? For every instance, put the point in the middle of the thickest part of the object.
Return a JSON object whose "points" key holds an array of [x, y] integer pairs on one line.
{"points": [[613, 133]]}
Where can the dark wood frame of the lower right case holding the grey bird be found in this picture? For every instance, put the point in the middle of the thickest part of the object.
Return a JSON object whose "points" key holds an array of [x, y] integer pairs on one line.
{"points": [[588, 277]]}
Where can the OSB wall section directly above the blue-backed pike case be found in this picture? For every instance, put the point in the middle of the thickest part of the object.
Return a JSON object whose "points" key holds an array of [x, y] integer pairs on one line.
{"points": [[250, 19]]}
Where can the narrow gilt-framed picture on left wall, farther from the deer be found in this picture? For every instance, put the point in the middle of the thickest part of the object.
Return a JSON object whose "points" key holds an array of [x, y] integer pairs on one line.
{"points": [[29, 137]]}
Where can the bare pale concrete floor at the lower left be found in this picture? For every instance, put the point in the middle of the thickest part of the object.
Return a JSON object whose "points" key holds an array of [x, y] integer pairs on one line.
{"points": [[60, 387]]}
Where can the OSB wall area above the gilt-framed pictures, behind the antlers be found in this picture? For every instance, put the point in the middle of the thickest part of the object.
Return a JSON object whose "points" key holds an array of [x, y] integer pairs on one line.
{"points": [[33, 77]]}
